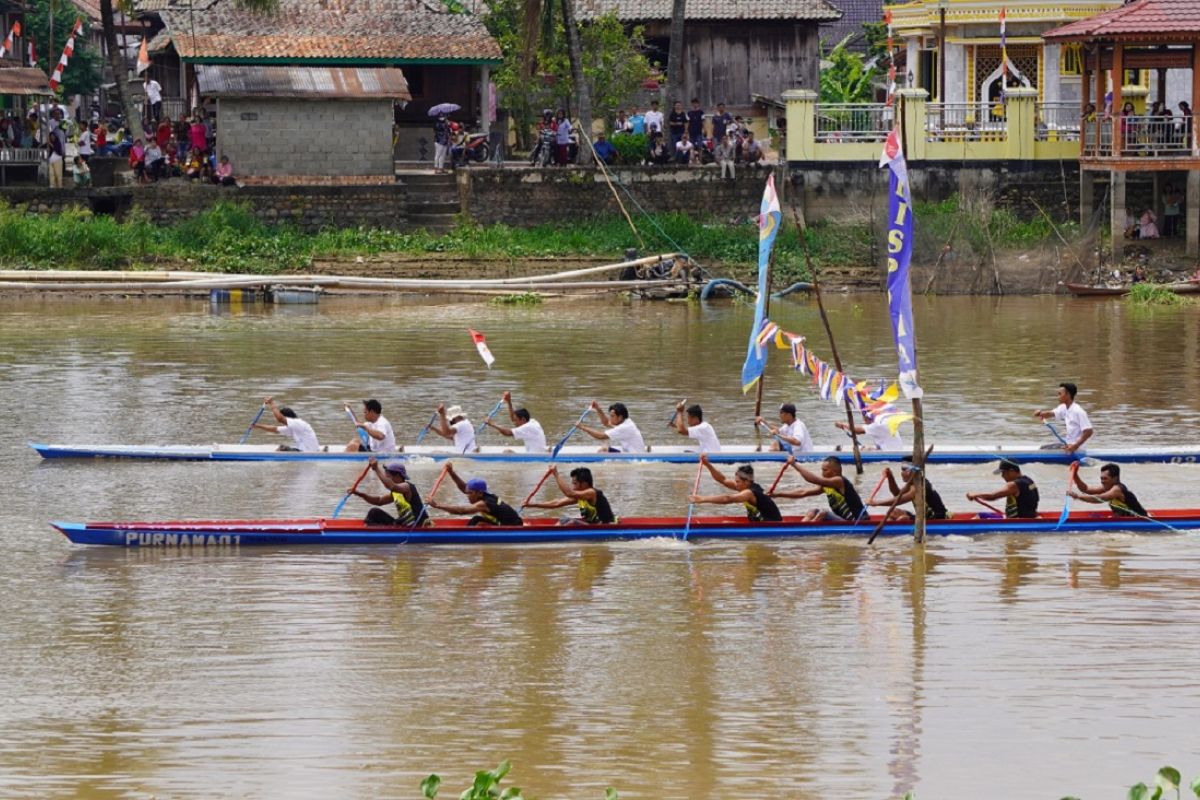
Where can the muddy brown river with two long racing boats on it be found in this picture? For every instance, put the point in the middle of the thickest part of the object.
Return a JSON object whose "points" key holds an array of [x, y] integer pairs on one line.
{"points": [[991, 667]]}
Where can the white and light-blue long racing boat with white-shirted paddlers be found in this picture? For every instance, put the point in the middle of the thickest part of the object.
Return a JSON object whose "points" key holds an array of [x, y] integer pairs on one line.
{"points": [[1025, 454]]}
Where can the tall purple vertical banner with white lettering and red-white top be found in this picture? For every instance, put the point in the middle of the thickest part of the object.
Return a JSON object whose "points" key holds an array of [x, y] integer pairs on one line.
{"points": [[899, 258]]}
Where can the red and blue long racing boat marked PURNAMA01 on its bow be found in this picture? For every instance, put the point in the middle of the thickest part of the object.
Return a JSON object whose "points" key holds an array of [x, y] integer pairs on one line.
{"points": [[319, 532]]}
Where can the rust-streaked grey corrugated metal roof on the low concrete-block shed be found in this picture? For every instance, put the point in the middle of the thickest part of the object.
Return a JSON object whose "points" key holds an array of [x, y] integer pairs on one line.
{"points": [[239, 81]]}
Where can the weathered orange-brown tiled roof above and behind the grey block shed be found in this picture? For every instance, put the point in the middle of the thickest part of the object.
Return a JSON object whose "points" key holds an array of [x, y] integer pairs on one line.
{"points": [[332, 31]]}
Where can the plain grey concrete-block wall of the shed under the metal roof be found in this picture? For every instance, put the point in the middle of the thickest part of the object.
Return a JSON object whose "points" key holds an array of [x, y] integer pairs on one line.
{"points": [[307, 137]]}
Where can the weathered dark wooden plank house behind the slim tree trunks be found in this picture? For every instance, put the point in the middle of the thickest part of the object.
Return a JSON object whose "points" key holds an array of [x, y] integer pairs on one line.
{"points": [[734, 50]]}
